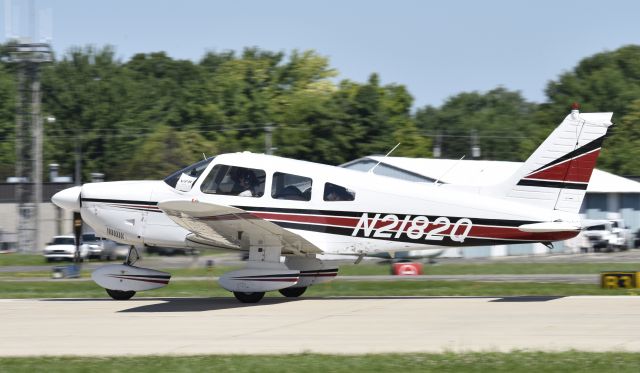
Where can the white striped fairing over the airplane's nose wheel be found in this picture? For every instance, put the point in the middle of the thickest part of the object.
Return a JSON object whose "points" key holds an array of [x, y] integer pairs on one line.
{"points": [[125, 277]]}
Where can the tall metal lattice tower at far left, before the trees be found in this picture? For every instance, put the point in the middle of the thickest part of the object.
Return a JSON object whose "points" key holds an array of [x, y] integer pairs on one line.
{"points": [[28, 57]]}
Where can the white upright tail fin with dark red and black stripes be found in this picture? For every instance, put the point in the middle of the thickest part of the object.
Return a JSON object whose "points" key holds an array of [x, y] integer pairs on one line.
{"points": [[556, 175]]}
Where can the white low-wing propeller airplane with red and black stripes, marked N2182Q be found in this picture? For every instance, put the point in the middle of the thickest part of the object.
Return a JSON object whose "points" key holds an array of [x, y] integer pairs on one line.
{"points": [[272, 206]]}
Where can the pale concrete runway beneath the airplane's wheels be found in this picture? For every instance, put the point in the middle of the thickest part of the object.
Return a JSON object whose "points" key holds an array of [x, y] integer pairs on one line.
{"points": [[345, 325]]}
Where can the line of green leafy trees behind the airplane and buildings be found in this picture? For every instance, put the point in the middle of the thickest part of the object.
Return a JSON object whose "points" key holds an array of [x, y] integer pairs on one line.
{"points": [[144, 117]]}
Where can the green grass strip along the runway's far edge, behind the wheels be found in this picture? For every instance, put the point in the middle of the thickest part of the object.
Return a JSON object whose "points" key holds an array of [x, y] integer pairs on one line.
{"points": [[87, 289]]}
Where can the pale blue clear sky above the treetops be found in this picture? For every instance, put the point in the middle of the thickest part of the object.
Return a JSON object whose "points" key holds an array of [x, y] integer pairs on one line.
{"points": [[435, 48]]}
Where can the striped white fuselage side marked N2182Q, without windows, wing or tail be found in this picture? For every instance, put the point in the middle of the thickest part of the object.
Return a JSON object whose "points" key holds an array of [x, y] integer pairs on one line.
{"points": [[387, 214]]}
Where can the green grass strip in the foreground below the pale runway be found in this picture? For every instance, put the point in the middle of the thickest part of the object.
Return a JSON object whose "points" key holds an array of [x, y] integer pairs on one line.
{"points": [[518, 361]]}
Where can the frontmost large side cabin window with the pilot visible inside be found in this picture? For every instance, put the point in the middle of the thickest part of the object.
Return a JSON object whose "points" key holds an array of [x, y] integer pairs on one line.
{"points": [[234, 181]]}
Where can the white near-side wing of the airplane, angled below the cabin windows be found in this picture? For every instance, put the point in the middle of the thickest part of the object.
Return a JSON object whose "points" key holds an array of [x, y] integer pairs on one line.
{"points": [[233, 228]]}
